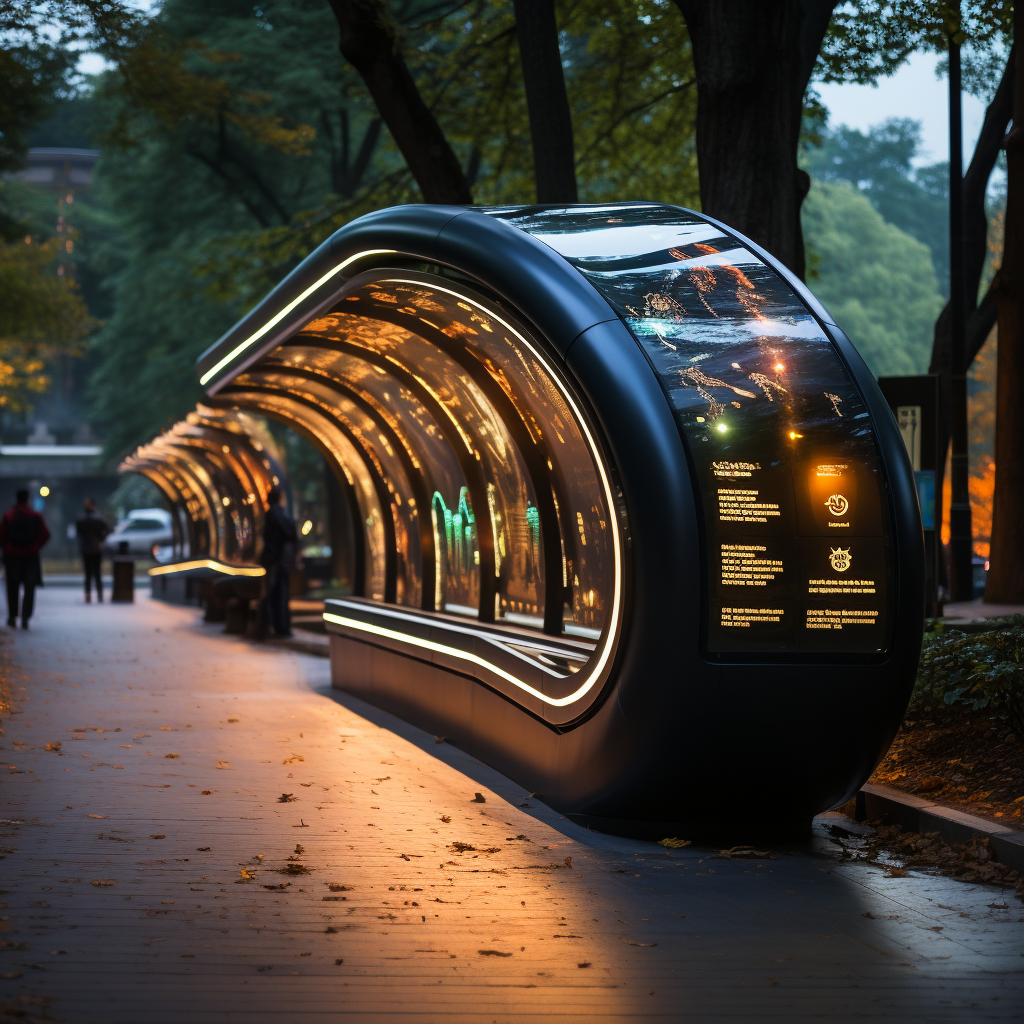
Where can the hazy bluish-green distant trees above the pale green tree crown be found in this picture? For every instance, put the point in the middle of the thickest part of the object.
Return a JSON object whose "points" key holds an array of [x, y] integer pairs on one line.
{"points": [[880, 164]]}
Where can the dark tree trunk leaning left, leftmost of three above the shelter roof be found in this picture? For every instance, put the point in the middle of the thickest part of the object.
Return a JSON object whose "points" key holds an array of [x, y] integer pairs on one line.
{"points": [[368, 42]]}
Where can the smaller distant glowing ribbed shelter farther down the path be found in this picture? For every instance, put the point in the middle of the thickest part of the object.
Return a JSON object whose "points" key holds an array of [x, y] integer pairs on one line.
{"points": [[216, 470]]}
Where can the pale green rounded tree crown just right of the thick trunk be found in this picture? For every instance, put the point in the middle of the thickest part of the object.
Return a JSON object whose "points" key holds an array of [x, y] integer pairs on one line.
{"points": [[878, 282]]}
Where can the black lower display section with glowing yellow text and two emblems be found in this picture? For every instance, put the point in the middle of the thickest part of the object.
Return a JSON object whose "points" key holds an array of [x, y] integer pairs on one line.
{"points": [[797, 559]]}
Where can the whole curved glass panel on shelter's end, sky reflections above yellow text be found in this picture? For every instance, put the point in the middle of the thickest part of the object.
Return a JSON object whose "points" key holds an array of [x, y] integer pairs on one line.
{"points": [[796, 524]]}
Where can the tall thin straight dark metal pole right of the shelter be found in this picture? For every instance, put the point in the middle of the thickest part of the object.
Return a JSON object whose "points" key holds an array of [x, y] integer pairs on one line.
{"points": [[961, 544]]}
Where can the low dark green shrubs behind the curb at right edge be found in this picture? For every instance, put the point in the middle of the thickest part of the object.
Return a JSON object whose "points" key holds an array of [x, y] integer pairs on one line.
{"points": [[975, 670]]}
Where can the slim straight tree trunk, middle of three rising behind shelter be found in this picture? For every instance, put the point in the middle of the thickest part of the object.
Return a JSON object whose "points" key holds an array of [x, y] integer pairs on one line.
{"points": [[550, 118]]}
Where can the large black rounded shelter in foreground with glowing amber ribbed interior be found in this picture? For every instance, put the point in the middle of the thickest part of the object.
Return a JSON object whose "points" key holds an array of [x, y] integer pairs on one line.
{"points": [[632, 522]]}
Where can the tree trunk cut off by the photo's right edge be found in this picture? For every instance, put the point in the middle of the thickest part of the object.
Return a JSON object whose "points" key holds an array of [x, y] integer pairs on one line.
{"points": [[1006, 575]]}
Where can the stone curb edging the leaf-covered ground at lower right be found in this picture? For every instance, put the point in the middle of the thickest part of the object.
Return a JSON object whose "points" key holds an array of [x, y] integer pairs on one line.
{"points": [[921, 816]]}
